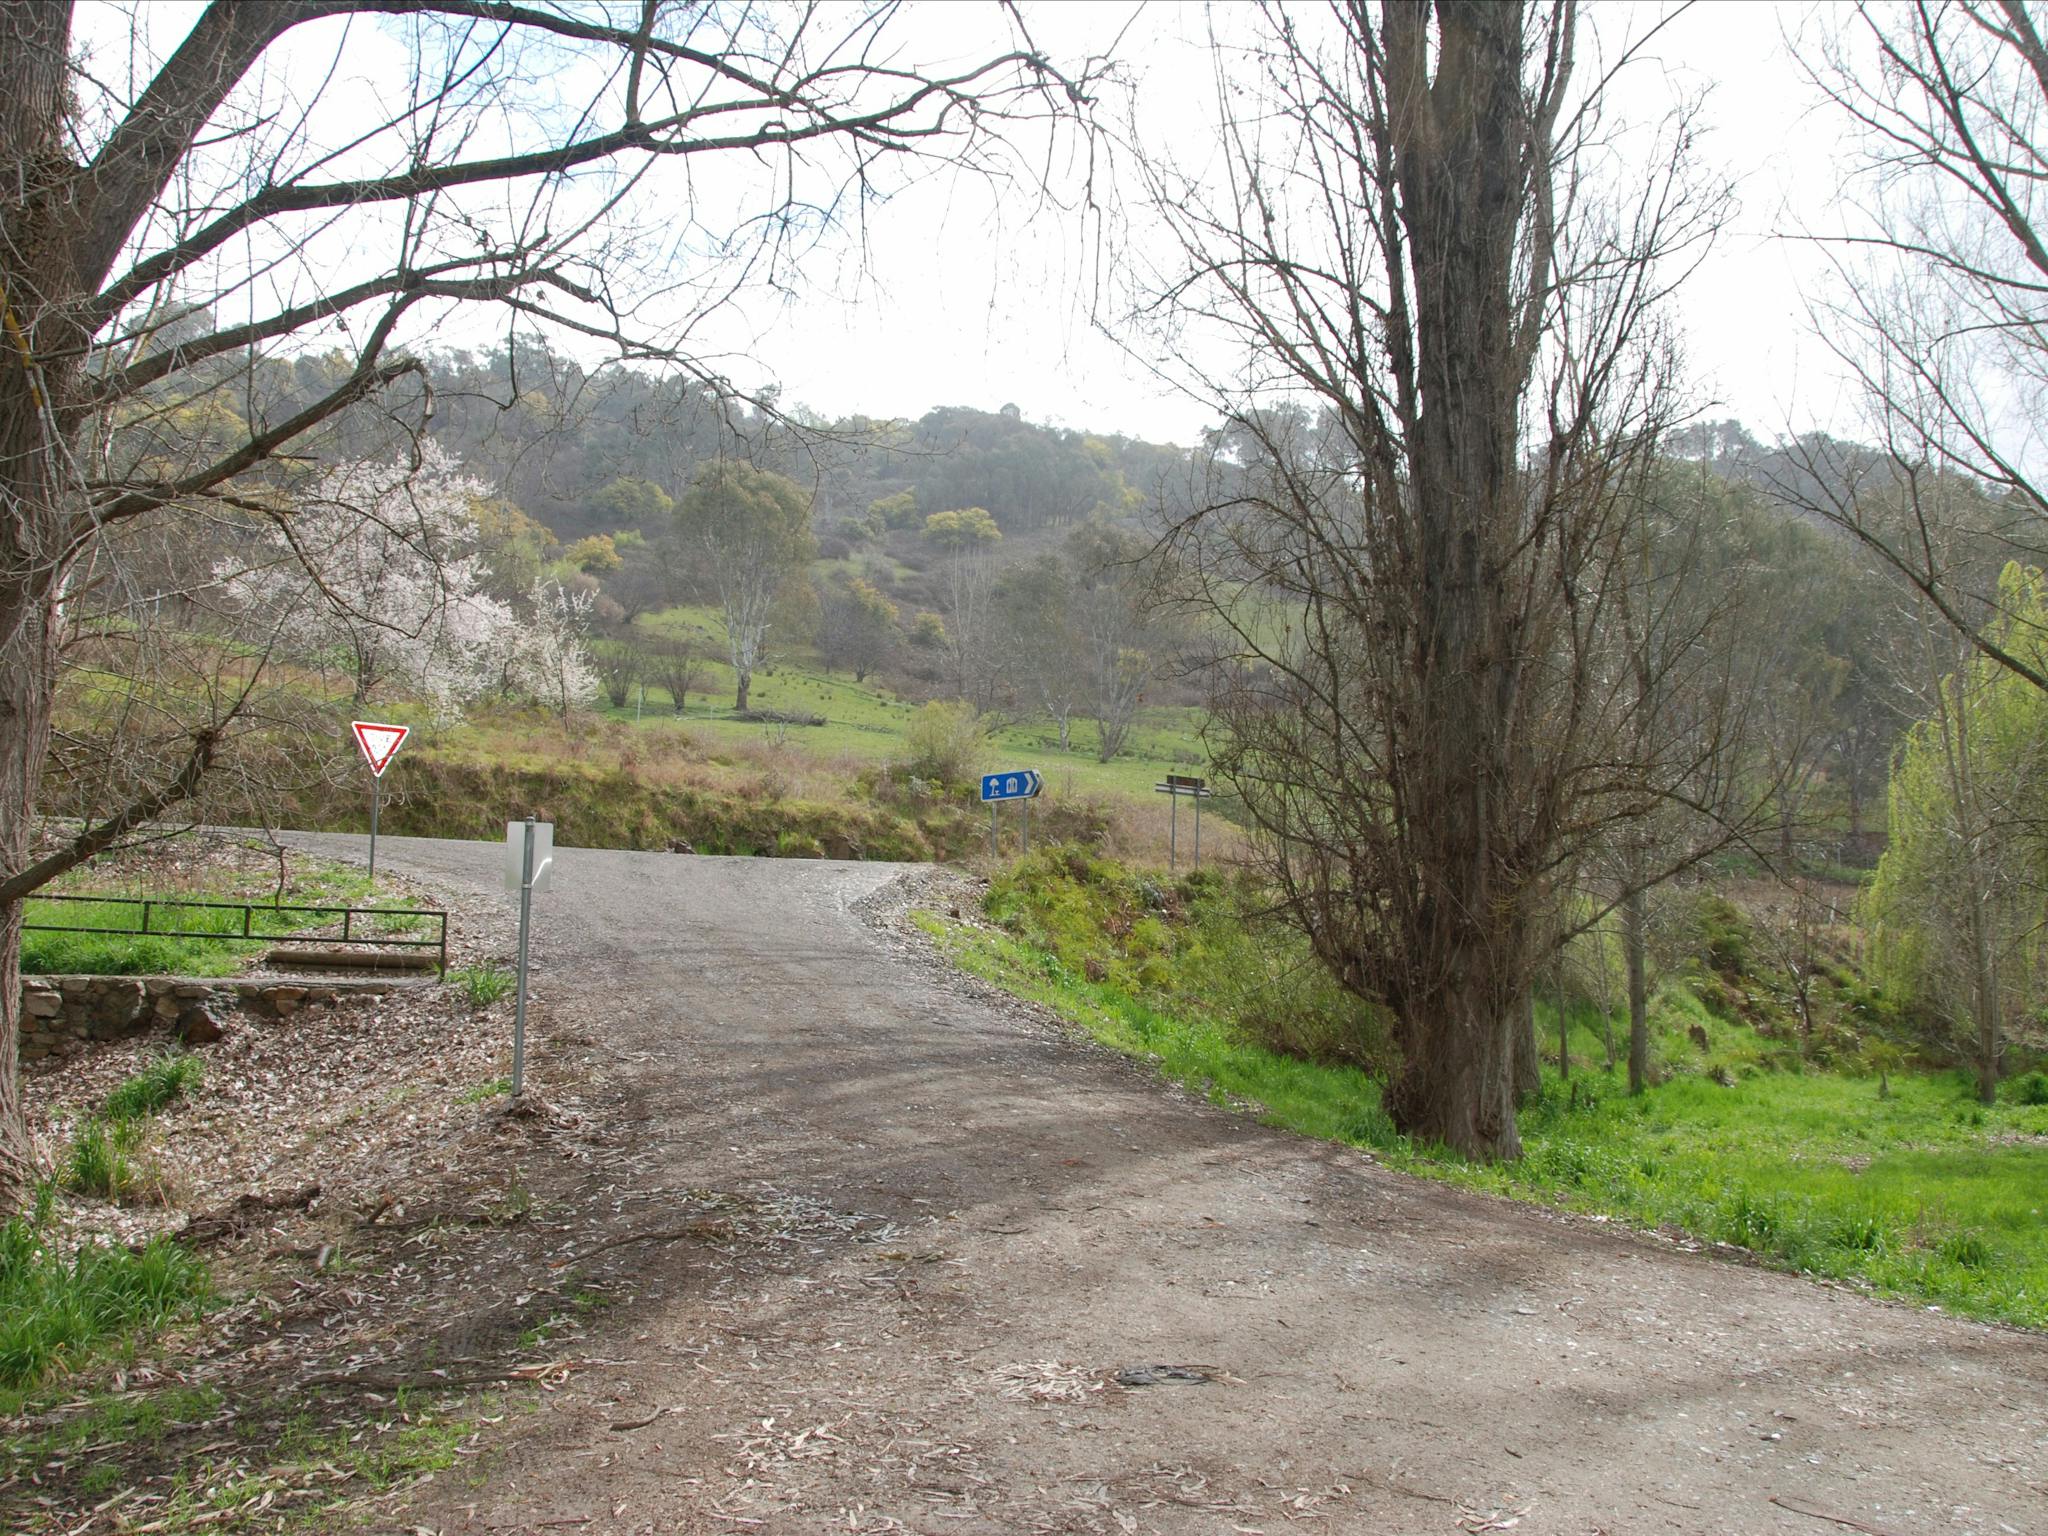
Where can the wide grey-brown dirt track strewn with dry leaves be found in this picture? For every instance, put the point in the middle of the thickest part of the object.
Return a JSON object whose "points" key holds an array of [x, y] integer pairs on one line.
{"points": [[910, 1232]]}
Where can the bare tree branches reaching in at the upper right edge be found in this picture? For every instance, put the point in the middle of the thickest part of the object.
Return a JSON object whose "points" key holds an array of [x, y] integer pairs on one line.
{"points": [[1940, 300]]}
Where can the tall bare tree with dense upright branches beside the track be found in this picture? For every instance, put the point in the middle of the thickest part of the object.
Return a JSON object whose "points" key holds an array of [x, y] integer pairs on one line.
{"points": [[1418, 583]]}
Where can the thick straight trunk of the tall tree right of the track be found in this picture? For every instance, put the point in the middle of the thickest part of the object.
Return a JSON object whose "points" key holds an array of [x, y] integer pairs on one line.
{"points": [[1459, 146]]}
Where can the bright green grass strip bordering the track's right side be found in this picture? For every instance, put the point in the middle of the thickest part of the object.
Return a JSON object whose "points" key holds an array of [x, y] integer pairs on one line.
{"points": [[1920, 1195]]}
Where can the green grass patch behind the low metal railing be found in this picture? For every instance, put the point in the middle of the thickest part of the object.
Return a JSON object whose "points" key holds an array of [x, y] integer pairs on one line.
{"points": [[134, 953]]}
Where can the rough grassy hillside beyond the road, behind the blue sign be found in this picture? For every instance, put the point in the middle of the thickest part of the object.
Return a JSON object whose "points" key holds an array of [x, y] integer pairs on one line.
{"points": [[646, 777]]}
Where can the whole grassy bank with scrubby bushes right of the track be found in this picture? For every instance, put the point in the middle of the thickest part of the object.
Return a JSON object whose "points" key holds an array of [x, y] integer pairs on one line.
{"points": [[1897, 1183]]}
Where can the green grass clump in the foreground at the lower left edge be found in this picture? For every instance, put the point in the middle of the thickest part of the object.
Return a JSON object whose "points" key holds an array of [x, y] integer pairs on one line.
{"points": [[56, 1310]]}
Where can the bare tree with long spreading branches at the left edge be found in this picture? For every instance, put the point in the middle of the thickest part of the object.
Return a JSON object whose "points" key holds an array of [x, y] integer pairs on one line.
{"points": [[159, 241]]}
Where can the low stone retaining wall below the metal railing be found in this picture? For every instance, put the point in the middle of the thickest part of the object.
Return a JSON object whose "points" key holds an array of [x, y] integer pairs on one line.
{"points": [[62, 1015]]}
